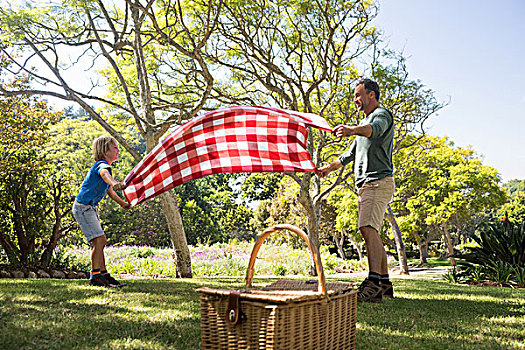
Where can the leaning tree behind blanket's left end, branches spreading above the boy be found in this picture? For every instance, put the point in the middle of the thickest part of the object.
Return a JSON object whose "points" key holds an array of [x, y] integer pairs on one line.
{"points": [[155, 70]]}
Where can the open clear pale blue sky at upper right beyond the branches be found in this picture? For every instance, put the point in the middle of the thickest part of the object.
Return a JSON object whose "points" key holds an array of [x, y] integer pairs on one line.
{"points": [[472, 54]]}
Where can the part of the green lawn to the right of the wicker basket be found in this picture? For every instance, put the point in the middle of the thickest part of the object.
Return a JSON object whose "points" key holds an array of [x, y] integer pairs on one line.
{"points": [[438, 315]]}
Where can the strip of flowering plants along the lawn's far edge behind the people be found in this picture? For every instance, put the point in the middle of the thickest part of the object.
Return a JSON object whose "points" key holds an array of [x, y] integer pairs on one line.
{"points": [[221, 259]]}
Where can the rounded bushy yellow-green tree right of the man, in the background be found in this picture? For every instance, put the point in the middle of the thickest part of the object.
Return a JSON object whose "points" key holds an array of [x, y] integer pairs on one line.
{"points": [[442, 188]]}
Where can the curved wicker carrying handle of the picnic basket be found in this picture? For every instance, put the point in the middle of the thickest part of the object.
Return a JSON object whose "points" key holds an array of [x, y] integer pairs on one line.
{"points": [[300, 233]]}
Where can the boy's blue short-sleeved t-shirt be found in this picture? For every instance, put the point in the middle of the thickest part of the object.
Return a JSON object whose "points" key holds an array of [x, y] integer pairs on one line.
{"points": [[94, 188]]}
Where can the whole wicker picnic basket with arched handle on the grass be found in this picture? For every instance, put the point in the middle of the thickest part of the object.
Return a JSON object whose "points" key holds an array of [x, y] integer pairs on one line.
{"points": [[297, 315]]}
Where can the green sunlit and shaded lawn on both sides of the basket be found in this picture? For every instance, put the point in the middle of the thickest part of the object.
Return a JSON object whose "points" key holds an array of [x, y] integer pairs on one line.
{"points": [[164, 314]]}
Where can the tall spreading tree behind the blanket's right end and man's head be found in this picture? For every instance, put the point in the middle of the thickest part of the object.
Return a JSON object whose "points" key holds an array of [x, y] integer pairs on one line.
{"points": [[308, 65]]}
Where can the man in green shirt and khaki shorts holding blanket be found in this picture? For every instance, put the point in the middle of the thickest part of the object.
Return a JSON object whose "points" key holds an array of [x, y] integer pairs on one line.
{"points": [[371, 152]]}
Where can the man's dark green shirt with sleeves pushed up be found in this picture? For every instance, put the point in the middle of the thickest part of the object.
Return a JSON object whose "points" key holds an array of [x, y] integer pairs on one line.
{"points": [[372, 155]]}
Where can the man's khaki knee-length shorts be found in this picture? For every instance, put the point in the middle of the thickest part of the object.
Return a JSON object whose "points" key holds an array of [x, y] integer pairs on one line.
{"points": [[373, 198]]}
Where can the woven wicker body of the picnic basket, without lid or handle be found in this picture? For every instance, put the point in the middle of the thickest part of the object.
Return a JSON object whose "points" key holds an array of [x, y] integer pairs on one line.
{"points": [[306, 325]]}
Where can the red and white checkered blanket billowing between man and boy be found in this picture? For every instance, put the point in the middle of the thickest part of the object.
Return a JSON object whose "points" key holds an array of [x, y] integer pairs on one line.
{"points": [[240, 139]]}
